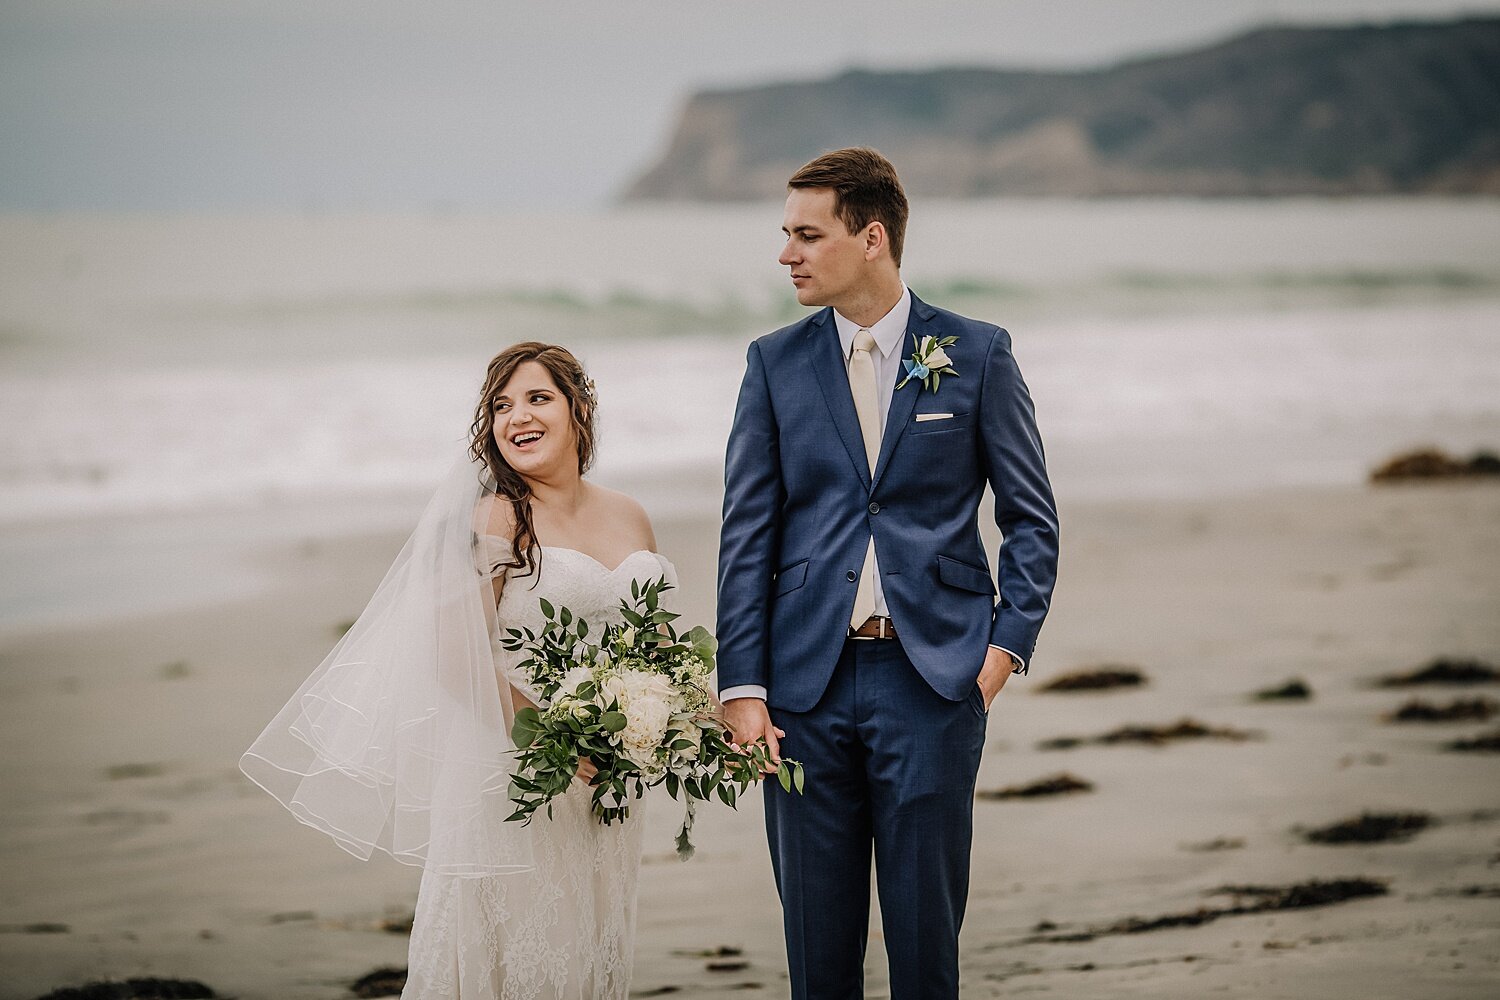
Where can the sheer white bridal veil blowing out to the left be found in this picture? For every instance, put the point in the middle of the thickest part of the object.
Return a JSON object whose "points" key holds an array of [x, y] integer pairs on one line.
{"points": [[401, 738]]}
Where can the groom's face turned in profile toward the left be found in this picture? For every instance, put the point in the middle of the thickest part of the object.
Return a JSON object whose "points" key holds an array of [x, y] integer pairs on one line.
{"points": [[829, 263]]}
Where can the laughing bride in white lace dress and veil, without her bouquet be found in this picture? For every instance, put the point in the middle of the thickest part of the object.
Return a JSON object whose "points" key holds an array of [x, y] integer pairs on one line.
{"points": [[401, 738]]}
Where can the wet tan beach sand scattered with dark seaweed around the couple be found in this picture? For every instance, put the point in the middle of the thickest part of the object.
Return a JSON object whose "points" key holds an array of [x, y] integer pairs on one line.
{"points": [[130, 828]]}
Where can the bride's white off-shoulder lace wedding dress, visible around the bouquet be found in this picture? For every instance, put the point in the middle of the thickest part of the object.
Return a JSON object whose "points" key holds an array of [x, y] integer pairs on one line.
{"points": [[566, 929]]}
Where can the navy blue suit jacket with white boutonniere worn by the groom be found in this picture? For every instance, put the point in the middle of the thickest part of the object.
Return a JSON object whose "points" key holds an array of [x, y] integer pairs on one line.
{"points": [[800, 509]]}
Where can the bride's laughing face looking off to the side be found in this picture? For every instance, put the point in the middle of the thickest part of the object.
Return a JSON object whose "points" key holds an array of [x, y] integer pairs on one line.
{"points": [[535, 425]]}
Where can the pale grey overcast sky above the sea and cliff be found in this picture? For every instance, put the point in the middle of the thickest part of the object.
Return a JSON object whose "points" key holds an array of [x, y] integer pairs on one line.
{"points": [[485, 104]]}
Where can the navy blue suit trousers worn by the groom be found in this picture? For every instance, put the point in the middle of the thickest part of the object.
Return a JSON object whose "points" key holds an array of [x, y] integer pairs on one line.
{"points": [[892, 768]]}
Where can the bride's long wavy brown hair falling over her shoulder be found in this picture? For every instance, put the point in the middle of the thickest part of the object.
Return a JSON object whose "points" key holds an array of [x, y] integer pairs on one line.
{"points": [[577, 388]]}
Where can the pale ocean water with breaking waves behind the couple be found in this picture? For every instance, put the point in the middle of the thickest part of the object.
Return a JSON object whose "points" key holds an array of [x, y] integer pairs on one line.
{"points": [[301, 376]]}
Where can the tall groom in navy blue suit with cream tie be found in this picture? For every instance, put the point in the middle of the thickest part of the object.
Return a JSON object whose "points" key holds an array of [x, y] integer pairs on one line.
{"points": [[860, 630]]}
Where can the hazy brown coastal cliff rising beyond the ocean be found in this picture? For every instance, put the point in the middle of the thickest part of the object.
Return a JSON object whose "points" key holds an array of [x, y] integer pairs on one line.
{"points": [[1402, 109]]}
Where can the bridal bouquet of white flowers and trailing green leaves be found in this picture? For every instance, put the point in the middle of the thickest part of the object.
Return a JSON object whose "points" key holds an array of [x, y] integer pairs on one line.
{"points": [[634, 701]]}
